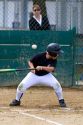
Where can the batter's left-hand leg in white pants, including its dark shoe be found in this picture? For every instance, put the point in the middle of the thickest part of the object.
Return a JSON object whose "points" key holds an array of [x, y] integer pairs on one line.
{"points": [[30, 80]]}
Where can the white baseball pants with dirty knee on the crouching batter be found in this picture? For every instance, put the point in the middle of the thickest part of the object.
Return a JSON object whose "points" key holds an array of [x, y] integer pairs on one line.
{"points": [[32, 79]]}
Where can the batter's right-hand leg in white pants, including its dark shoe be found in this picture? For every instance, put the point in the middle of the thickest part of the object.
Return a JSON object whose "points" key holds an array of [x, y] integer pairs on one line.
{"points": [[51, 81]]}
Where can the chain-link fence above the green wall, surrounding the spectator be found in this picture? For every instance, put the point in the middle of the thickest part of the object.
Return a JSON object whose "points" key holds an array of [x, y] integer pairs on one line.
{"points": [[62, 14]]}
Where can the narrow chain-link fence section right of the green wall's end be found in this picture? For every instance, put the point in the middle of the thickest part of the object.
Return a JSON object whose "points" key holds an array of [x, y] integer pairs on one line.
{"points": [[79, 60]]}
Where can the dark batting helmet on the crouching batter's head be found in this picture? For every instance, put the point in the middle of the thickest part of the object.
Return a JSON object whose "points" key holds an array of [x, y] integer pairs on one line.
{"points": [[53, 49]]}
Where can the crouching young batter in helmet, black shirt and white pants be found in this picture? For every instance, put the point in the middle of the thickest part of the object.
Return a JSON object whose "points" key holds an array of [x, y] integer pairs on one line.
{"points": [[45, 64]]}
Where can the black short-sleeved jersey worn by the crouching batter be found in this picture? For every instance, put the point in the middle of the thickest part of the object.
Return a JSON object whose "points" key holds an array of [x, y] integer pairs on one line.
{"points": [[41, 60]]}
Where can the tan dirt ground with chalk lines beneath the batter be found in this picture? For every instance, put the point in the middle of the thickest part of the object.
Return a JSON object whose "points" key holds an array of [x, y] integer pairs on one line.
{"points": [[40, 107]]}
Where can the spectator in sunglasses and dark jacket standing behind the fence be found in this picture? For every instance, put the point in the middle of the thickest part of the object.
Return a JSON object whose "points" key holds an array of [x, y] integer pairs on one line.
{"points": [[37, 21]]}
